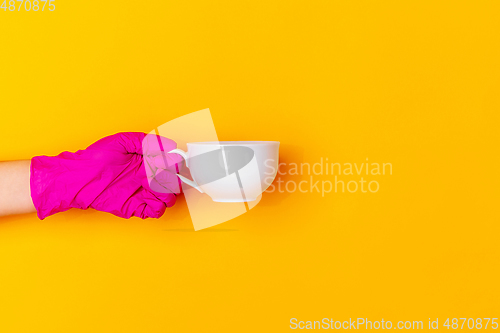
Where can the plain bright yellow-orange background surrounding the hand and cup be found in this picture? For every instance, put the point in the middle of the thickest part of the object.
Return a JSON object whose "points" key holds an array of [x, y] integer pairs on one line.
{"points": [[412, 83]]}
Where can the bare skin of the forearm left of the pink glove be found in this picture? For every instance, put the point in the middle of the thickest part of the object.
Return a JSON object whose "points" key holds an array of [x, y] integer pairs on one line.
{"points": [[15, 195]]}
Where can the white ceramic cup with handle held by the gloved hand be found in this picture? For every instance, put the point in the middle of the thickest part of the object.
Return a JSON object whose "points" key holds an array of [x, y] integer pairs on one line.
{"points": [[231, 171]]}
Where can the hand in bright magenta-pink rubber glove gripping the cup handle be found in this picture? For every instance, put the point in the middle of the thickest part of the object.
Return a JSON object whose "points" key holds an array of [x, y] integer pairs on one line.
{"points": [[125, 174]]}
